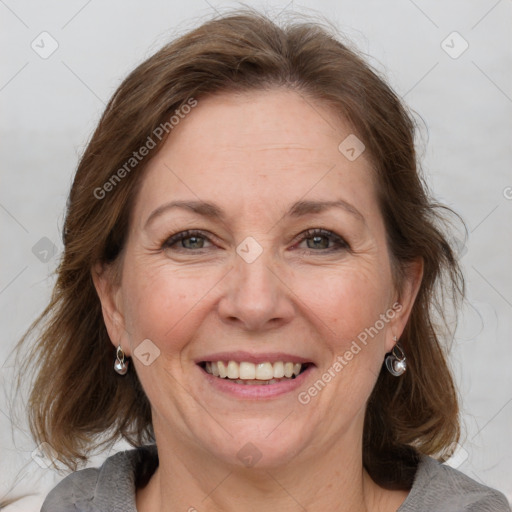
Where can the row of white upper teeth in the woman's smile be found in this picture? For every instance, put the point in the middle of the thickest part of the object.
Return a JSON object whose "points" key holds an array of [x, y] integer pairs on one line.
{"points": [[249, 371]]}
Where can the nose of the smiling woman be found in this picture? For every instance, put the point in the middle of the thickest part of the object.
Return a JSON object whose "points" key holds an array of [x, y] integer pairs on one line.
{"points": [[257, 296]]}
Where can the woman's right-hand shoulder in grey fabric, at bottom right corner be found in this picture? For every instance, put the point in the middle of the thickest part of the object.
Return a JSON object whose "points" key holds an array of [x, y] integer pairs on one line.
{"points": [[438, 487]]}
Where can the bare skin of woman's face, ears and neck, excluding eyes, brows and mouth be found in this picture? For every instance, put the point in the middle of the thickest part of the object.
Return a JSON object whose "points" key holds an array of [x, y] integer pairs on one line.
{"points": [[309, 304]]}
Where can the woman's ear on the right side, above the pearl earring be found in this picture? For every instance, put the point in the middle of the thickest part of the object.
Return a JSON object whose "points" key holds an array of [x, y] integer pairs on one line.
{"points": [[404, 300]]}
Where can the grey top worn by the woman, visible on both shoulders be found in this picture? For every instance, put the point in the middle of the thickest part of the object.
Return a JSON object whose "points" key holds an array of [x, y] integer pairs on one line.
{"points": [[111, 488]]}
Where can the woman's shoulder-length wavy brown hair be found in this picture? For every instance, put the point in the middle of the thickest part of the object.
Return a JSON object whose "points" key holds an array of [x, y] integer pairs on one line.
{"points": [[78, 402]]}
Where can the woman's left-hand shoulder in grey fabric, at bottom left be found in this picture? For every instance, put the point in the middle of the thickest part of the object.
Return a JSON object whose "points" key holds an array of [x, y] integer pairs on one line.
{"points": [[110, 487]]}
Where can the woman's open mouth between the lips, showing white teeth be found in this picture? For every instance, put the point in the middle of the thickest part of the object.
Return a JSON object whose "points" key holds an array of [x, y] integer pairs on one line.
{"points": [[254, 374]]}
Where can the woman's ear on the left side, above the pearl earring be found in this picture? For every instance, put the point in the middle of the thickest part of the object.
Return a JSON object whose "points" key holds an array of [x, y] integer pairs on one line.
{"points": [[109, 294]]}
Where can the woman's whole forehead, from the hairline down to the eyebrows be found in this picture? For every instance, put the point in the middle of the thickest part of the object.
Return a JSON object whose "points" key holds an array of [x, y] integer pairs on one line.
{"points": [[256, 150]]}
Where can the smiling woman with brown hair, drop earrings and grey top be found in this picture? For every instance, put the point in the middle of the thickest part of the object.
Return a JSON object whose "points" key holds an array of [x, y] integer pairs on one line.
{"points": [[248, 289]]}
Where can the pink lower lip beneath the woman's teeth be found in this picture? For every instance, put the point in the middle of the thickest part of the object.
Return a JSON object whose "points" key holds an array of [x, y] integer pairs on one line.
{"points": [[258, 391]]}
